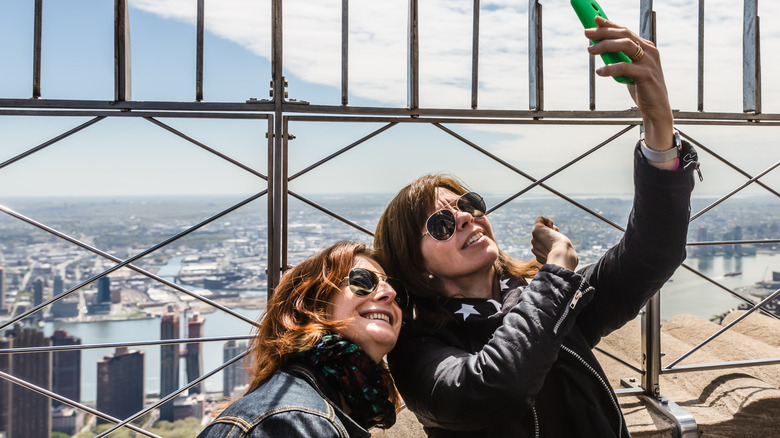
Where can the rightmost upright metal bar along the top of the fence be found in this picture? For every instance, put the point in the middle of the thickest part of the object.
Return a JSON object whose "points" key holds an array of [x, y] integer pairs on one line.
{"points": [[751, 59]]}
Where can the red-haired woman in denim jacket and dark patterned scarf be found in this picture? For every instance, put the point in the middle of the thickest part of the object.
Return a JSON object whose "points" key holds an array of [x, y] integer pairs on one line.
{"points": [[316, 362]]}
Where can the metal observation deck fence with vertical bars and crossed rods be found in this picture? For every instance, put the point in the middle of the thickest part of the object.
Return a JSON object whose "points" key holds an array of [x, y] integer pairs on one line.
{"points": [[278, 113]]}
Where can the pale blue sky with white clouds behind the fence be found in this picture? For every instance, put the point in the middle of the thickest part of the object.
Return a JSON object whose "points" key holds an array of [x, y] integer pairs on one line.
{"points": [[132, 156]]}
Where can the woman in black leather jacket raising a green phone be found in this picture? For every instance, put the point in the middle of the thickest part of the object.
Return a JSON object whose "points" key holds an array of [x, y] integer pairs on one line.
{"points": [[502, 348]]}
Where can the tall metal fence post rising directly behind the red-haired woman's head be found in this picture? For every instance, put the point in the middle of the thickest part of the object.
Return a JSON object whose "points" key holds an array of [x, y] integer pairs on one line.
{"points": [[275, 156]]}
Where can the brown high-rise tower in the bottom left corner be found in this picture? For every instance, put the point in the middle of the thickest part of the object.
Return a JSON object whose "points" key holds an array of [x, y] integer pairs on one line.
{"points": [[25, 413]]}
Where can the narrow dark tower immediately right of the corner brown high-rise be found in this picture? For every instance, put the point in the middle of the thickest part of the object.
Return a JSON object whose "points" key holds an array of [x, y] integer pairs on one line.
{"points": [[66, 368]]}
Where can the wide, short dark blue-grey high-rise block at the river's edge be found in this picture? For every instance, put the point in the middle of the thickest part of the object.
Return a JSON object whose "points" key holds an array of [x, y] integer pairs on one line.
{"points": [[120, 383]]}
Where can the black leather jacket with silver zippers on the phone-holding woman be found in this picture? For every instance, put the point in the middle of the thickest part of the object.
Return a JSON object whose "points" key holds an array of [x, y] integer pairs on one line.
{"points": [[531, 372]]}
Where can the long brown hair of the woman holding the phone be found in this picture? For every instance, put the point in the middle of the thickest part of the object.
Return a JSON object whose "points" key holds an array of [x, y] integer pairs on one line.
{"points": [[397, 239]]}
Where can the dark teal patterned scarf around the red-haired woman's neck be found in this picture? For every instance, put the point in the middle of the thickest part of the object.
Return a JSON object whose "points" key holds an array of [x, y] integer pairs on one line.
{"points": [[364, 384]]}
